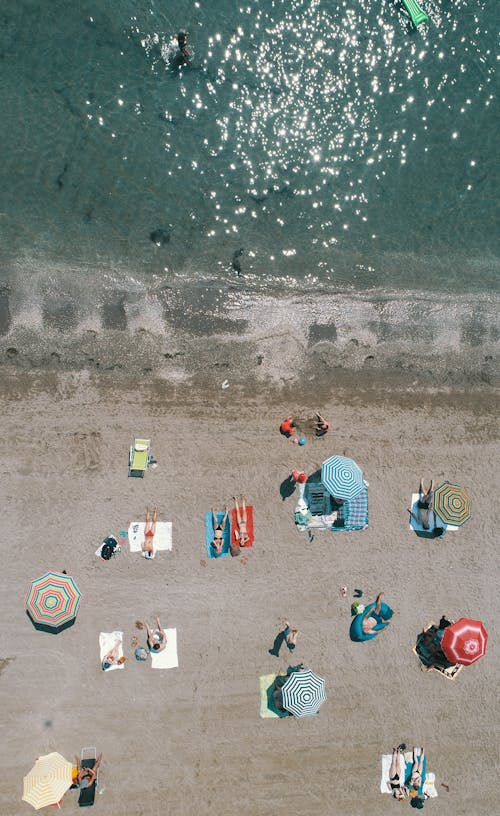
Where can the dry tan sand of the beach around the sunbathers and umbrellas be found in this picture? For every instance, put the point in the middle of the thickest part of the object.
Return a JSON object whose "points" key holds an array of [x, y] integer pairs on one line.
{"points": [[190, 740]]}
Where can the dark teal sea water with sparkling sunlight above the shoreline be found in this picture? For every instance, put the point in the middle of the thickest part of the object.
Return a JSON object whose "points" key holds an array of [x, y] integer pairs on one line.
{"points": [[307, 142]]}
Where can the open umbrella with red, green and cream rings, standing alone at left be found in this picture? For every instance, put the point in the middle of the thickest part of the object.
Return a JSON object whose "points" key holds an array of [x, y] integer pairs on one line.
{"points": [[52, 600]]}
